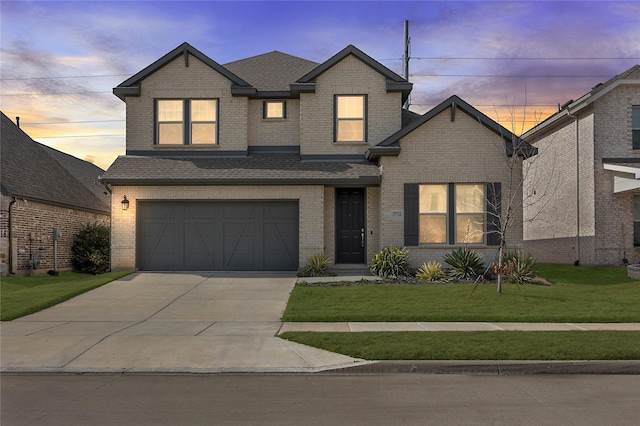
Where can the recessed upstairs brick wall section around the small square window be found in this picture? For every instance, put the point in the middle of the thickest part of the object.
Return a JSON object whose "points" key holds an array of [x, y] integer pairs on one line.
{"points": [[274, 132]]}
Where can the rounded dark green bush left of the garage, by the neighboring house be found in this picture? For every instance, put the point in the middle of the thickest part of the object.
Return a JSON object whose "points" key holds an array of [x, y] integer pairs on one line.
{"points": [[90, 249]]}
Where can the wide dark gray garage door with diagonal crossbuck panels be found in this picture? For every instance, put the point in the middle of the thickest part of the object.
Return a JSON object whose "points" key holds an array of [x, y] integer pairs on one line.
{"points": [[218, 236]]}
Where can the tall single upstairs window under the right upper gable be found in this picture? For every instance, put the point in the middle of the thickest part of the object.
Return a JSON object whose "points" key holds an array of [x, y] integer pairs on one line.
{"points": [[350, 118]]}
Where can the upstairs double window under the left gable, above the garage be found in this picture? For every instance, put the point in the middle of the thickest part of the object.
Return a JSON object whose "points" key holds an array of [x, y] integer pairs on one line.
{"points": [[187, 122]]}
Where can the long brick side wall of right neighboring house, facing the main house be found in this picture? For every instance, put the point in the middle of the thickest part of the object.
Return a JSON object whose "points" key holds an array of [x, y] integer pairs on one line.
{"points": [[551, 190]]}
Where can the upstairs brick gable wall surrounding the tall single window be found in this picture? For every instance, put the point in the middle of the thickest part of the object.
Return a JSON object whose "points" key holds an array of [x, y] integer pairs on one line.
{"points": [[349, 77]]}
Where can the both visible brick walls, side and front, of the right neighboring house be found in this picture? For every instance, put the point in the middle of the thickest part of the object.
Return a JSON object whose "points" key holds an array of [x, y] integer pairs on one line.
{"points": [[606, 219]]}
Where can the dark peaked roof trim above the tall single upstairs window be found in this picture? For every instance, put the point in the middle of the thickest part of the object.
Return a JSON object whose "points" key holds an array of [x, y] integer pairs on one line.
{"points": [[394, 83]]}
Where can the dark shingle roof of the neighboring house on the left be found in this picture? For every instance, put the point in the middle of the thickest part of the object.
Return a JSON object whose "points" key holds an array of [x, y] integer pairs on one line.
{"points": [[36, 172]]}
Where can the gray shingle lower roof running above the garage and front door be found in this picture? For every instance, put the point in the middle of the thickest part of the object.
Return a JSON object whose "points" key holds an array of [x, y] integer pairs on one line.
{"points": [[255, 169]]}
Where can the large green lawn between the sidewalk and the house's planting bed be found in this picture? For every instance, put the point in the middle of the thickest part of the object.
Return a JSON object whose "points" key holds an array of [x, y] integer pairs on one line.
{"points": [[579, 294]]}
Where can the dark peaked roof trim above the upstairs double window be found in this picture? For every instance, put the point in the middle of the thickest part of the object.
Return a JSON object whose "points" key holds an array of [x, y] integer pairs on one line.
{"points": [[131, 86]]}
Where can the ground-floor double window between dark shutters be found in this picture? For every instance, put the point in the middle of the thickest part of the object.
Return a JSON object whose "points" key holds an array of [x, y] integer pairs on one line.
{"points": [[452, 213]]}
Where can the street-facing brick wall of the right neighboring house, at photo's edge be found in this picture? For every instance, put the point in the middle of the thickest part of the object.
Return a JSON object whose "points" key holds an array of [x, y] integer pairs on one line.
{"points": [[614, 212]]}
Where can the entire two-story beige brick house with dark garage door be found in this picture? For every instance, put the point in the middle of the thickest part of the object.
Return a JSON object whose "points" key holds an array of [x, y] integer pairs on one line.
{"points": [[257, 164]]}
